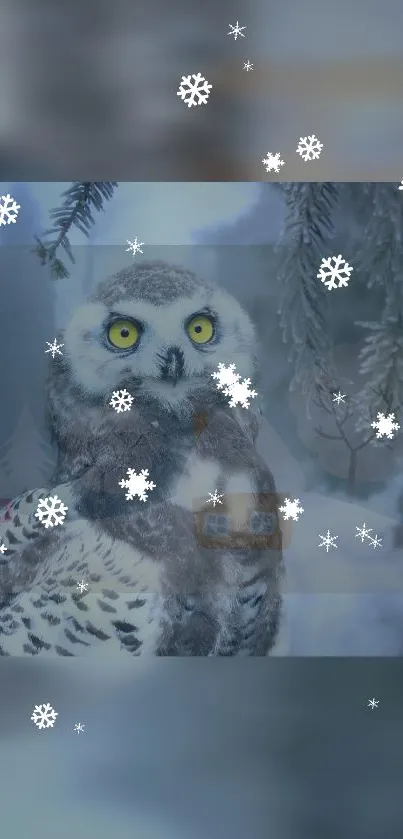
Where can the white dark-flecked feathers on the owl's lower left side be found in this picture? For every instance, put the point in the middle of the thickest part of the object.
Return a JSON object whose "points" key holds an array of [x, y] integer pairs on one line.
{"points": [[120, 610]]}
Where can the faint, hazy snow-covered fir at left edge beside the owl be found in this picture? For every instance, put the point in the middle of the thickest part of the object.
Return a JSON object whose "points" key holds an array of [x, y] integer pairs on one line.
{"points": [[26, 459]]}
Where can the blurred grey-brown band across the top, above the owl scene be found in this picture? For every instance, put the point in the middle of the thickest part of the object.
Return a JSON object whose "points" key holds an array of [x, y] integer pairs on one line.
{"points": [[89, 90]]}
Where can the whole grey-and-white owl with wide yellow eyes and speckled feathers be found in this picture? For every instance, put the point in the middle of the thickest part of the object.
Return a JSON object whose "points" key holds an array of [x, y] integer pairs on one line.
{"points": [[167, 573]]}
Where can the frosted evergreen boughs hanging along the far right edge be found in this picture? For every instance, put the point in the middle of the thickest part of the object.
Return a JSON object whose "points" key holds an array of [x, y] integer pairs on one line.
{"points": [[382, 355]]}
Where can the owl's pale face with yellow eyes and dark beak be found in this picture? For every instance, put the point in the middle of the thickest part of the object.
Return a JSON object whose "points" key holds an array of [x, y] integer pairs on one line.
{"points": [[162, 347]]}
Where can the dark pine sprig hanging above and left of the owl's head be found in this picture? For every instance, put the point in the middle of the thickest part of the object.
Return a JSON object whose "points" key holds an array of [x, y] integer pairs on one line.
{"points": [[80, 201]]}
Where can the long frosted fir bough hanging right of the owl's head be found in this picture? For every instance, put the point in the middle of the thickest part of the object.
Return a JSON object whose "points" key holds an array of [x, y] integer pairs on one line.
{"points": [[304, 304]]}
